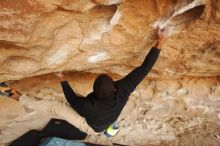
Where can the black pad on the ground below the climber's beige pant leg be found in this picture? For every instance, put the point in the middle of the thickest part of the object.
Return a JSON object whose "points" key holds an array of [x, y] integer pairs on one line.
{"points": [[55, 128]]}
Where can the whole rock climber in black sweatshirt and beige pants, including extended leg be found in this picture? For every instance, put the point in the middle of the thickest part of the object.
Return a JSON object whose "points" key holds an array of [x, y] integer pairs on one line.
{"points": [[101, 108]]}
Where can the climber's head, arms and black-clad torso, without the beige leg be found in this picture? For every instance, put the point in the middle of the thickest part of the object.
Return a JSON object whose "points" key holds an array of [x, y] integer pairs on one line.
{"points": [[102, 107]]}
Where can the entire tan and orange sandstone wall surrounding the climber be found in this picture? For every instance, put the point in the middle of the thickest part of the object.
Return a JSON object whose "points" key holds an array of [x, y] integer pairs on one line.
{"points": [[179, 102]]}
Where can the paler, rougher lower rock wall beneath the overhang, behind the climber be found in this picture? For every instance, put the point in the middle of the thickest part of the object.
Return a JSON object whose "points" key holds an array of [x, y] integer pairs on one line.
{"points": [[160, 111]]}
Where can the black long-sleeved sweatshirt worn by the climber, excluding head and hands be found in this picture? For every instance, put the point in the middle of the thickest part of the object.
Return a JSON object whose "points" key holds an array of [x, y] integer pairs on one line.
{"points": [[99, 114]]}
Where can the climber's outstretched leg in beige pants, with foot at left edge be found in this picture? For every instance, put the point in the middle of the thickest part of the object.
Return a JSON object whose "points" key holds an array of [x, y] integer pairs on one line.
{"points": [[53, 106]]}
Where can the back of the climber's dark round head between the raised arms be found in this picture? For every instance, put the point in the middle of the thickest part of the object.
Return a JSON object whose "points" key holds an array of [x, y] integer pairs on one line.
{"points": [[103, 86]]}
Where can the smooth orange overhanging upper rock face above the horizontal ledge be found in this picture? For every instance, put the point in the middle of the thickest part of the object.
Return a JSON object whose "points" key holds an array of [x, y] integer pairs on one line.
{"points": [[110, 36]]}
